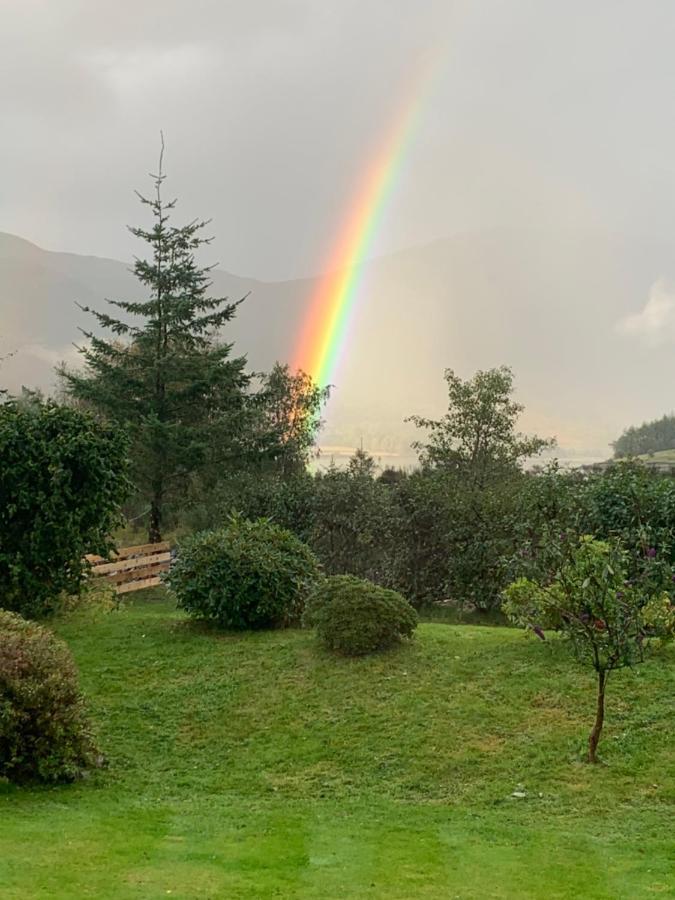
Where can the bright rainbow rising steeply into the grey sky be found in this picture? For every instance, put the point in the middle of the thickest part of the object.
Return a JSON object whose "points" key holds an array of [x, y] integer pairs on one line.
{"points": [[326, 329]]}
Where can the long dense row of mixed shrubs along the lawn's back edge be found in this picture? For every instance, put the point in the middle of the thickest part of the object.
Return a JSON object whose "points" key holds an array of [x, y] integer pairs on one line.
{"points": [[435, 535]]}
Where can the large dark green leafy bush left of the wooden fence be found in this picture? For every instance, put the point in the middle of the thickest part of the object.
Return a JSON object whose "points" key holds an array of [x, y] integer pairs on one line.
{"points": [[62, 483]]}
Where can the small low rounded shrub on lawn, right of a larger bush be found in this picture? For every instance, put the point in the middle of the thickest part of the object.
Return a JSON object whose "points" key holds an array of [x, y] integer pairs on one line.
{"points": [[354, 617]]}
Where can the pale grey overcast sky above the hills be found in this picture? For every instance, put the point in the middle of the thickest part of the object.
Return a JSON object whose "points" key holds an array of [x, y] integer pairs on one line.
{"points": [[542, 112]]}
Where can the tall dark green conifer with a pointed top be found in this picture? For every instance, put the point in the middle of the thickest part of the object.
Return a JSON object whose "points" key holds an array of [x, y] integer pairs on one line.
{"points": [[164, 372]]}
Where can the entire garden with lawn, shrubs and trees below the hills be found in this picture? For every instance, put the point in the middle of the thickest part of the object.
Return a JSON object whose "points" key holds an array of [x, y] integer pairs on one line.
{"points": [[456, 681]]}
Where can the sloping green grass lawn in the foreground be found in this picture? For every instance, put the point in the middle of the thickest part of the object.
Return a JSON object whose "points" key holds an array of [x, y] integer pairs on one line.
{"points": [[258, 766]]}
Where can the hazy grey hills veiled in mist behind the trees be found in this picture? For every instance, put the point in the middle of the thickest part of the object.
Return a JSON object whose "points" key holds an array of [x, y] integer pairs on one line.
{"points": [[586, 320]]}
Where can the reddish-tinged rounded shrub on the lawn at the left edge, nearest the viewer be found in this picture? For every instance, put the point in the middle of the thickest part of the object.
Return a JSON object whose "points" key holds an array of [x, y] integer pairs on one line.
{"points": [[43, 729]]}
